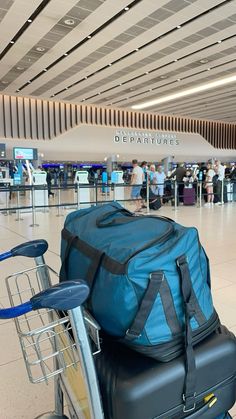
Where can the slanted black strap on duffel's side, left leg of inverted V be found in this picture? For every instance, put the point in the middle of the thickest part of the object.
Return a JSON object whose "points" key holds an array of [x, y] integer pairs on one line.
{"points": [[146, 305]]}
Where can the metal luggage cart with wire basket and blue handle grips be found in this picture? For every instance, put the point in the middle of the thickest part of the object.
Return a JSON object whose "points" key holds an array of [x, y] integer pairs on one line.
{"points": [[45, 334]]}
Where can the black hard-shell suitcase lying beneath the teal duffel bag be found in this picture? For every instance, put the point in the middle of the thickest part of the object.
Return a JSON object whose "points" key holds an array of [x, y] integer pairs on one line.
{"points": [[138, 387]]}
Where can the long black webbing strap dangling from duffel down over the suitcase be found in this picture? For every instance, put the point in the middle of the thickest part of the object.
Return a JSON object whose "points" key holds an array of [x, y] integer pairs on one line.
{"points": [[190, 366]]}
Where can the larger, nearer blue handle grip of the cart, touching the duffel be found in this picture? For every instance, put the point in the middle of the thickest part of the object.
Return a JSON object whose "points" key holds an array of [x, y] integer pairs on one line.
{"points": [[64, 296]]}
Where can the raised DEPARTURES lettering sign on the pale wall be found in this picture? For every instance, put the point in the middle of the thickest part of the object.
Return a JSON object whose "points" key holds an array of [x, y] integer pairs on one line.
{"points": [[146, 138]]}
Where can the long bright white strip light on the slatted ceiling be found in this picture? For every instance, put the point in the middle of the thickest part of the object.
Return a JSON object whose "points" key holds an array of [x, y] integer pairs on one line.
{"points": [[195, 90]]}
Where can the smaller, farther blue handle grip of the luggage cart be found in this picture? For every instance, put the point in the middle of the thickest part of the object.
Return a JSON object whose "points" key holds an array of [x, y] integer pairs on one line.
{"points": [[31, 249]]}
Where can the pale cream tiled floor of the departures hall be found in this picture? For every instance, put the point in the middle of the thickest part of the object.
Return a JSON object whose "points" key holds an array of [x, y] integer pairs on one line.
{"points": [[217, 228]]}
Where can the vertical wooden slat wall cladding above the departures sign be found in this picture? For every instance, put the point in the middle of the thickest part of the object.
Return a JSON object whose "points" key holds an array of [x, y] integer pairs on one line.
{"points": [[30, 118]]}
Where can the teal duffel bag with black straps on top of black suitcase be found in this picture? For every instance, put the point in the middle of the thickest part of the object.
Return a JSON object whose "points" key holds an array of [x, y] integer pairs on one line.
{"points": [[149, 277]]}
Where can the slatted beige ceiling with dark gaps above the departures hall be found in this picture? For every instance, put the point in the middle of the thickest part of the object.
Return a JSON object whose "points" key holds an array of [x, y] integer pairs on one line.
{"points": [[121, 53]]}
